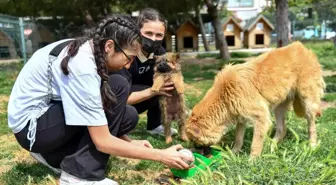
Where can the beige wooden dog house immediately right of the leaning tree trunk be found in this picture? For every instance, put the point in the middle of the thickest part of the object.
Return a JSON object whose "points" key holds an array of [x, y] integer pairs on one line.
{"points": [[232, 30]]}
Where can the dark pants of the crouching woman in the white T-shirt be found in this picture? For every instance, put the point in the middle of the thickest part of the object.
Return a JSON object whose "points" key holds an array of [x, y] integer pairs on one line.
{"points": [[71, 147]]}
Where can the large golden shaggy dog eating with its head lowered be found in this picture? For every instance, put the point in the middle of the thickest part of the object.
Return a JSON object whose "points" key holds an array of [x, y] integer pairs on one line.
{"points": [[248, 92]]}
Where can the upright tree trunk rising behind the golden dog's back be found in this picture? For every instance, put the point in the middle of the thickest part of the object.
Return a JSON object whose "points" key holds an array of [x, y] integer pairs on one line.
{"points": [[282, 22]]}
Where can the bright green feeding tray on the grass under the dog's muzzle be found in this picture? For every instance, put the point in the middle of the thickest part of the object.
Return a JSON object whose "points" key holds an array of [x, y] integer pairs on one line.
{"points": [[201, 163]]}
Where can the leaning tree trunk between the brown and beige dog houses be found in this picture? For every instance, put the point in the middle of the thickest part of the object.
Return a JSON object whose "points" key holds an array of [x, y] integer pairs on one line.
{"points": [[219, 34]]}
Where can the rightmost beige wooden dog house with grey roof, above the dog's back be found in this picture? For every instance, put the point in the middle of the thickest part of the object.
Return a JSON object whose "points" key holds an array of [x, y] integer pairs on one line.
{"points": [[257, 32]]}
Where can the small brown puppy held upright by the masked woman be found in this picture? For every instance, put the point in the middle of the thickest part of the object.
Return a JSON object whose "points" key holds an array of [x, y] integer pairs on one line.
{"points": [[168, 69]]}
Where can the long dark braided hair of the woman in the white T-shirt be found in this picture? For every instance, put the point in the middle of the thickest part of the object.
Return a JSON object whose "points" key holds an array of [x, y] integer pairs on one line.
{"points": [[121, 29]]}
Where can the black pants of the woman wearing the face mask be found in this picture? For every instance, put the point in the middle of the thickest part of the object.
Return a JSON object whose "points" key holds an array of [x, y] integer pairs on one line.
{"points": [[151, 105]]}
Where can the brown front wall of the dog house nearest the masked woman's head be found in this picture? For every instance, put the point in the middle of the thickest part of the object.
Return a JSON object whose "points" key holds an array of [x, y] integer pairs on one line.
{"points": [[187, 30]]}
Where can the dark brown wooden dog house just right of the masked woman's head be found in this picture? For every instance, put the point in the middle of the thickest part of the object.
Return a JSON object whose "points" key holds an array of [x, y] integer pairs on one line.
{"points": [[187, 37]]}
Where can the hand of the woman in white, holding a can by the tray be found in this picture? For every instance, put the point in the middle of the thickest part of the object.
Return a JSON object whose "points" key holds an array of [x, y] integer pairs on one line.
{"points": [[172, 158]]}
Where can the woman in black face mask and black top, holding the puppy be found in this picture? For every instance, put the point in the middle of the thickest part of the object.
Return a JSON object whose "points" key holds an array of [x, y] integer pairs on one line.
{"points": [[153, 27]]}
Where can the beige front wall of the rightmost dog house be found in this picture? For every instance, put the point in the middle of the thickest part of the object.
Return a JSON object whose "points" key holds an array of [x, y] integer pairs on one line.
{"points": [[267, 36]]}
